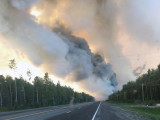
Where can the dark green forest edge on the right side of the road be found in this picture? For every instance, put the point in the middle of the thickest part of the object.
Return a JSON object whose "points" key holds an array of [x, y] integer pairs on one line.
{"points": [[146, 89]]}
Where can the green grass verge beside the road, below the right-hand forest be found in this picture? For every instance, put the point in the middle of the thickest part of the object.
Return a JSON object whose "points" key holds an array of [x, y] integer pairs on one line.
{"points": [[152, 113]]}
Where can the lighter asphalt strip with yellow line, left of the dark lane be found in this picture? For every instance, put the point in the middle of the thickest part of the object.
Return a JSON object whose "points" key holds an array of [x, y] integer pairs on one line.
{"points": [[42, 113]]}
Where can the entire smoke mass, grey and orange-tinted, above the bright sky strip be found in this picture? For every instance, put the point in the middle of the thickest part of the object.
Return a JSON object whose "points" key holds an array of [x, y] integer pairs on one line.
{"points": [[105, 25]]}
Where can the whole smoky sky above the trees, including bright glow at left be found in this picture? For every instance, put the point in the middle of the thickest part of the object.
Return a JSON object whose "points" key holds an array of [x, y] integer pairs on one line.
{"points": [[124, 33]]}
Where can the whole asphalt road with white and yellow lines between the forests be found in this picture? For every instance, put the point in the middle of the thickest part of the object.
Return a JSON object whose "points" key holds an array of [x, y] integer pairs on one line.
{"points": [[85, 111]]}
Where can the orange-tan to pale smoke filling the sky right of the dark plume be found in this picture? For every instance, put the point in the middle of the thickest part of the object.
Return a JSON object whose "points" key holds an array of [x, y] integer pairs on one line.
{"points": [[106, 24]]}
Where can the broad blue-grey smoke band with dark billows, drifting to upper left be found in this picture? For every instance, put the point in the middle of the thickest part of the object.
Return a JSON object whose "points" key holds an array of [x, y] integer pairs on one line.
{"points": [[57, 50]]}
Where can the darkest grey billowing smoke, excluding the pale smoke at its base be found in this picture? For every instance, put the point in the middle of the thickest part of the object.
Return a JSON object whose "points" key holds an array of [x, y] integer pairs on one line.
{"points": [[88, 63]]}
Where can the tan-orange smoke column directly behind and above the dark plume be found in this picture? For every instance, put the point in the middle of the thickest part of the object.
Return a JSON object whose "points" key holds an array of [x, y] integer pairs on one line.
{"points": [[101, 19]]}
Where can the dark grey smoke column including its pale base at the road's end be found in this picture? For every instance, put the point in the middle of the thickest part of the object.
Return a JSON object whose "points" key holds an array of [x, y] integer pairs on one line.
{"points": [[86, 66]]}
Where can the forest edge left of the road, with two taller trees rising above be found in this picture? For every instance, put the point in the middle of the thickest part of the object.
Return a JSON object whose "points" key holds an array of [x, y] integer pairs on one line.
{"points": [[18, 93]]}
